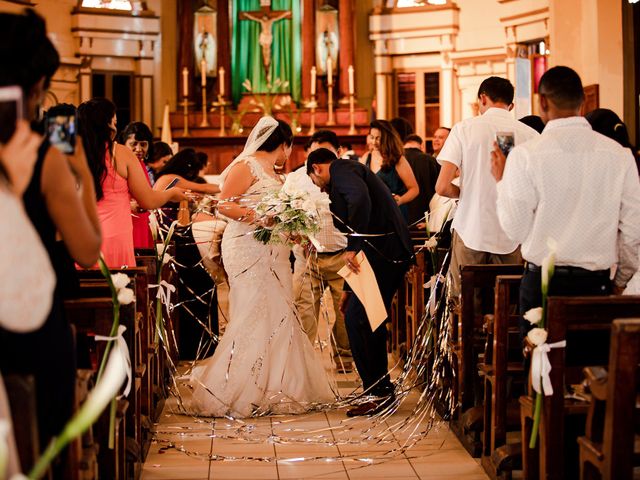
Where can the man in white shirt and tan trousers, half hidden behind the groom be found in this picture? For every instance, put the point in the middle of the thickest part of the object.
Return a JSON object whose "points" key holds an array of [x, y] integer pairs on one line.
{"points": [[314, 271]]}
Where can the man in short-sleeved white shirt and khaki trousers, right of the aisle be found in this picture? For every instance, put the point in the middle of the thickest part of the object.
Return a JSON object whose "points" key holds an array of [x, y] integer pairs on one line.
{"points": [[478, 236]]}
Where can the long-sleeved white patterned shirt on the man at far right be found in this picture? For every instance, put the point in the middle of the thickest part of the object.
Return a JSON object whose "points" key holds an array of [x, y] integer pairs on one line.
{"points": [[579, 188]]}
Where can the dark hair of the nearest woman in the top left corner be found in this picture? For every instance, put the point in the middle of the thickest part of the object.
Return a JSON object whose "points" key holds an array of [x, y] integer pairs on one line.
{"points": [[26, 53]]}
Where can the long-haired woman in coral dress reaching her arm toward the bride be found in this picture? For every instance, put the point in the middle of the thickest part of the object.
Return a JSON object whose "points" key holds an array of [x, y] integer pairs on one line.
{"points": [[117, 177]]}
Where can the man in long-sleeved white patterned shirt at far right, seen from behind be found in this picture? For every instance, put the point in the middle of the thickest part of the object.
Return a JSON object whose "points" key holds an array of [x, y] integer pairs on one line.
{"points": [[574, 186]]}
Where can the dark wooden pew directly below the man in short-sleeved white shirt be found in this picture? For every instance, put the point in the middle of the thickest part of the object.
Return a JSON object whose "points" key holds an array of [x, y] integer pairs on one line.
{"points": [[468, 344]]}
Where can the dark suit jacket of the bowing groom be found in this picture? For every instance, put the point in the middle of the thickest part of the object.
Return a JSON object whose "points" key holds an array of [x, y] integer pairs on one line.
{"points": [[363, 202]]}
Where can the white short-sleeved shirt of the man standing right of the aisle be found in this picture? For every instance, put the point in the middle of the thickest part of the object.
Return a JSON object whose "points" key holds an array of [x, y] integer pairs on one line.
{"points": [[469, 146]]}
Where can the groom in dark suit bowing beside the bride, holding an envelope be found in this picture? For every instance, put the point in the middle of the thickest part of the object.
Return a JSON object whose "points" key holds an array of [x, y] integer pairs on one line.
{"points": [[362, 203]]}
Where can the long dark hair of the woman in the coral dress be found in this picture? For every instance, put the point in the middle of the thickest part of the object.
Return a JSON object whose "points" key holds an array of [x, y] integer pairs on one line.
{"points": [[94, 117]]}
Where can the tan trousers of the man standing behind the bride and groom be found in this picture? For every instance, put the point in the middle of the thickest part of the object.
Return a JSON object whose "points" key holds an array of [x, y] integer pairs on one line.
{"points": [[312, 275]]}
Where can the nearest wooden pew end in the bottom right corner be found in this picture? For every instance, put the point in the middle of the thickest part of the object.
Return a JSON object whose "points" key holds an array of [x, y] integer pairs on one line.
{"points": [[607, 449]]}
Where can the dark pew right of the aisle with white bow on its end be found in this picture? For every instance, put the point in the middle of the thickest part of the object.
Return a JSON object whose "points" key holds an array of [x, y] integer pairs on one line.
{"points": [[585, 323]]}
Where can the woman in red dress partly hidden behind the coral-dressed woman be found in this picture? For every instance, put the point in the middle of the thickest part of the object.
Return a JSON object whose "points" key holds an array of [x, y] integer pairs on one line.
{"points": [[137, 137]]}
